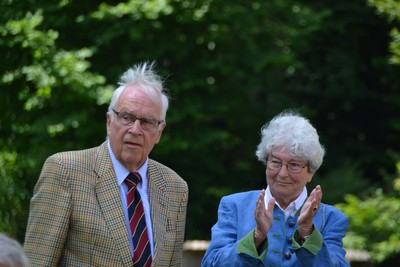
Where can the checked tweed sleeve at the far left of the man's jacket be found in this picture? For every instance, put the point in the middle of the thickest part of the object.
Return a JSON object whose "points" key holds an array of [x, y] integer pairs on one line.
{"points": [[49, 216]]}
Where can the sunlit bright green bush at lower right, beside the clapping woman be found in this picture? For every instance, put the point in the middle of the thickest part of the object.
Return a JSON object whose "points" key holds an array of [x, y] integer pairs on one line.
{"points": [[374, 224]]}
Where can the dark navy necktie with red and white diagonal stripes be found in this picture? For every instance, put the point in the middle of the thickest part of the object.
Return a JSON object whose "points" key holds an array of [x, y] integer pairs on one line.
{"points": [[137, 222]]}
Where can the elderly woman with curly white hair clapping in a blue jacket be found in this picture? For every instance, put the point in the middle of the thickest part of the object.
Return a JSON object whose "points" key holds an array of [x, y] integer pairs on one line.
{"points": [[281, 225]]}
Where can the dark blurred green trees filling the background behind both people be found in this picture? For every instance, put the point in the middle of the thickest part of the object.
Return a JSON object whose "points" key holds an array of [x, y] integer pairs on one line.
{"points": [[230, 66]]}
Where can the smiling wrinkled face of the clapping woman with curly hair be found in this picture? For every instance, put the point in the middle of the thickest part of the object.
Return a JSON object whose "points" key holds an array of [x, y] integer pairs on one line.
{"points": [[286, 186]]}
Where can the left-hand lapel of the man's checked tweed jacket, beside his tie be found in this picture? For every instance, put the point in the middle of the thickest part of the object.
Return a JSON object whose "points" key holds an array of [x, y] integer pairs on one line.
{"points": [[108, 197]]}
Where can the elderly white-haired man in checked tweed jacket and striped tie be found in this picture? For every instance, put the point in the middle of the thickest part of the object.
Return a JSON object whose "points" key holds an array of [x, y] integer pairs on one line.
{"points": [[112, 205]]}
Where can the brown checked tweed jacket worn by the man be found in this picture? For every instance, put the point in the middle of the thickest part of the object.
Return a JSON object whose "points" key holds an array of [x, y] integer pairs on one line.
{"points": [[76, 216]]}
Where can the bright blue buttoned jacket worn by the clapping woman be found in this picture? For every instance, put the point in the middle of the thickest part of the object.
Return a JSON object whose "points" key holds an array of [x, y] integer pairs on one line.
{"points": [[236, 221]]}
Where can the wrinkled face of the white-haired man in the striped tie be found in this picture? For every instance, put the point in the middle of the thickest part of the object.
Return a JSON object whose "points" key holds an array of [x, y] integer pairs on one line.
{"points": [[131, 145]]}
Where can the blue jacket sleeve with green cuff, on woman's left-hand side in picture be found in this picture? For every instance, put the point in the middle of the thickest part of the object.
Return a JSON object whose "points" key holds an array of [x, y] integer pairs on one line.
{"points": [[225, 249]]}
